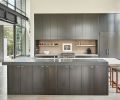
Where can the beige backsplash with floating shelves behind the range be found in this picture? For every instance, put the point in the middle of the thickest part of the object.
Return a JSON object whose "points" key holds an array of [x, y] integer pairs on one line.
{"points": [[56, 46]]}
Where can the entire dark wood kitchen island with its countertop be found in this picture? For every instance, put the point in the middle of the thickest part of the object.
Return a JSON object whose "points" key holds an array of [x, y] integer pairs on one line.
{"points": [[57, 76]]}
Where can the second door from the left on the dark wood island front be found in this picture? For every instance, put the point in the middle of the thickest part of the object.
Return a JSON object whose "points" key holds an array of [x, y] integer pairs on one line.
{"points": [[26, 79]]}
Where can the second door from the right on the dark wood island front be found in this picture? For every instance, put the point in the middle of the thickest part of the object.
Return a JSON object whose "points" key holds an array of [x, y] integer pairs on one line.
{"points": [[88, 75]]}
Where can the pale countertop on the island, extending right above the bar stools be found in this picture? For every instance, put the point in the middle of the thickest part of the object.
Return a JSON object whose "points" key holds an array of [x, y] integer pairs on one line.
{"points": [[111, 61]]}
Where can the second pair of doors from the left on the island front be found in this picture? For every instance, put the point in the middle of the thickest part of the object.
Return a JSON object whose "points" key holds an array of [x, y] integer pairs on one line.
{"points": [[44, 79]]}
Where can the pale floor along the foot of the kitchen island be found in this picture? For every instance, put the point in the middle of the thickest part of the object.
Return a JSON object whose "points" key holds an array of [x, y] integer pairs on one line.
{"points": [[112, 96]]}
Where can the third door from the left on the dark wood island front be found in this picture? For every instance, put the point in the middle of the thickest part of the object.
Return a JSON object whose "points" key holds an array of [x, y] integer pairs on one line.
{"points": [[39, 79]]}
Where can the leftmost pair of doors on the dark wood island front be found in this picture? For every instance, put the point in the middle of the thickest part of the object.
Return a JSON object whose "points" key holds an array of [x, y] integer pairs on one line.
{"points": [[19, 79]]}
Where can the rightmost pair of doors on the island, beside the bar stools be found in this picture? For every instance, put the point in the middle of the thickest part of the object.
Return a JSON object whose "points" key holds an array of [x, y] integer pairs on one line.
{"points": [[94, 79]]}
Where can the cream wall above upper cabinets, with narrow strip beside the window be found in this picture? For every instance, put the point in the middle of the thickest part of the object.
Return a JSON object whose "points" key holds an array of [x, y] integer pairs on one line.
{"points": [[70, 6]]}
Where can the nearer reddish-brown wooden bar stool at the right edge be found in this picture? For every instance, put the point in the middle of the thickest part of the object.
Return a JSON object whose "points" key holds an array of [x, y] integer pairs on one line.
{"points": [[116, 84]]}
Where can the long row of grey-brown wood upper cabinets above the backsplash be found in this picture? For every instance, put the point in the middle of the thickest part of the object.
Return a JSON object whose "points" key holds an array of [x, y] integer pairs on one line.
{"points": [[72, 26]]}
